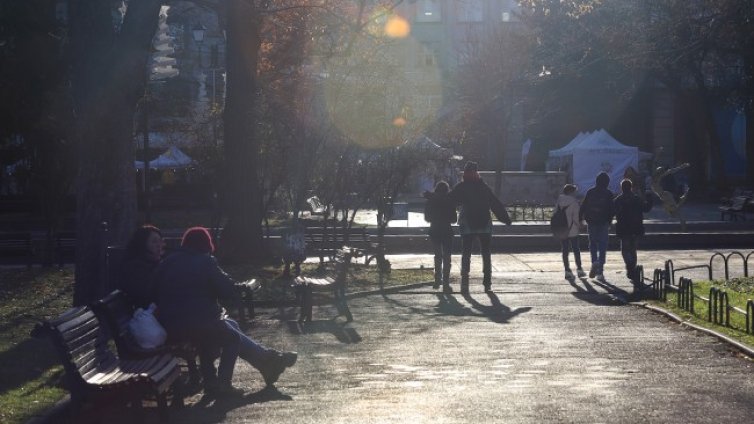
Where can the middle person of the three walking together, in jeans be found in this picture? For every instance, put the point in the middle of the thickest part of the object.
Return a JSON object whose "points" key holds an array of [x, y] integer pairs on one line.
{"points": [[597, 210]]}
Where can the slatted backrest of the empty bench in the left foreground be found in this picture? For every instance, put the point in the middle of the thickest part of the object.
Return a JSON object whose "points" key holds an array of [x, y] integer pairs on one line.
{"points": [[80, 342]]}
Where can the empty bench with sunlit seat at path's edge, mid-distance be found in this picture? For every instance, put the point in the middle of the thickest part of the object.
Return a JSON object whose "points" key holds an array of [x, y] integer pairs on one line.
{"points": [[334, 282]]}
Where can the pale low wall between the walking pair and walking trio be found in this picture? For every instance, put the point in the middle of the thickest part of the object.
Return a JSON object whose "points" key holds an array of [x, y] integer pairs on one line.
{"points": [[527, 186]]}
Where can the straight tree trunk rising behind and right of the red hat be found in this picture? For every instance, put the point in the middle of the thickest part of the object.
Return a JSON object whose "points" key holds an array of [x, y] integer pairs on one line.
{"points": [[242, 237]]}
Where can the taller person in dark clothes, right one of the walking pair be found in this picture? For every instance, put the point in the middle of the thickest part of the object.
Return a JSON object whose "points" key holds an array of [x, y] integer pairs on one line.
{"points": [[477, 200]]}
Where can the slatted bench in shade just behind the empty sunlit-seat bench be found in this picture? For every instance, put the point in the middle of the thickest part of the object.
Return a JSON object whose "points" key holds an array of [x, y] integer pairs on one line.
{"points": [[325, 242]]}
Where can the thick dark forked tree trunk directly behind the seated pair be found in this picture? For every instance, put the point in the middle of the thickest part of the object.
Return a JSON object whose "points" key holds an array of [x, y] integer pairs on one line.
{"points": [[109, 68]]}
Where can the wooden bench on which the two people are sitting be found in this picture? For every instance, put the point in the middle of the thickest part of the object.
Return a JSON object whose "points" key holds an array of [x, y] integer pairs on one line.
{"points": [[116, 310]]}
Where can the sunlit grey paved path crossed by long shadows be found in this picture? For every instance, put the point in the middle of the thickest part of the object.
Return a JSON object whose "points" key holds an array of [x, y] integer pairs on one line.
{"points": [[538, 349]]}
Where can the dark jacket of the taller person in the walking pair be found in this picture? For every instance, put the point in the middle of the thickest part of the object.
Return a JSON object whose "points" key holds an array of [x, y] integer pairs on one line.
{"points": [[477, 200]]}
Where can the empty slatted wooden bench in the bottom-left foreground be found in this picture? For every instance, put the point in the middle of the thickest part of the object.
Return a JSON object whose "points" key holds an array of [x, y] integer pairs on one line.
{"points": [[93, 371]]}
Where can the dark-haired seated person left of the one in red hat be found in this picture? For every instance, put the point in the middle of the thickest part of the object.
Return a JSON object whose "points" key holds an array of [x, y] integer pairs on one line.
{"points": [[142, 255]]}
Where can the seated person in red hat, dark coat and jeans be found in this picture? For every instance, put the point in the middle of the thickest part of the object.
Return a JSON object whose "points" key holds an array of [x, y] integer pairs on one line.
{"points": [[190, 288]]}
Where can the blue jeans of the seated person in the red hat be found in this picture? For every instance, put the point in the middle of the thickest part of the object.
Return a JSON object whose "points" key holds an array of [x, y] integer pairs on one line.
{"points": [[226, 335]]}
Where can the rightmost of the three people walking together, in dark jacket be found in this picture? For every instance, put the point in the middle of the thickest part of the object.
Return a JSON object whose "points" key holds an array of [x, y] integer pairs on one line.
{"points": [[629, 225]]}
